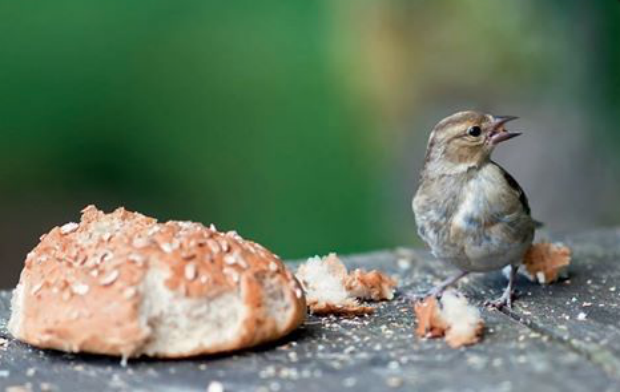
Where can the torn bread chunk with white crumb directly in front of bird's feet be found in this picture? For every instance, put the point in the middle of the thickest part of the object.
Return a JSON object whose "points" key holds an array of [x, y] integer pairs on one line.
{"points": [[451, 317]]}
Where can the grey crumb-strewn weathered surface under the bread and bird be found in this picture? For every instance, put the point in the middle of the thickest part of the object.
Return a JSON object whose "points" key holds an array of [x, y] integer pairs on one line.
{"points": [[564, 337]]}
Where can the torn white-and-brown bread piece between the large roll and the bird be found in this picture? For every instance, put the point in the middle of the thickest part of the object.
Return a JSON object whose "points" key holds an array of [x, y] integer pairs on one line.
{"points": [[331, 289]]}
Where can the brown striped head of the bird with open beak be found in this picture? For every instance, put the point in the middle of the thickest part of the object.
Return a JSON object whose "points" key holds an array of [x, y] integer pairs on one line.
{"points": [[464, 140]]}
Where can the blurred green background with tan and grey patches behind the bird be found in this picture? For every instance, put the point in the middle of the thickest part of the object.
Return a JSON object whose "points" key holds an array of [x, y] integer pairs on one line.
{"points": [[302, 124]]}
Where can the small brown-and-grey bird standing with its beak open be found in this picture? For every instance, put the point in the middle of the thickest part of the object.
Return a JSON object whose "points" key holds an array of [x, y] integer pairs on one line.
{"points": [[468, 209]]}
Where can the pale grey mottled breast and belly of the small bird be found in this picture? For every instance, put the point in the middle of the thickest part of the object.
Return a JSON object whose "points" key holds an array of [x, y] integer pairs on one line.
{"points": [[473, 220]]}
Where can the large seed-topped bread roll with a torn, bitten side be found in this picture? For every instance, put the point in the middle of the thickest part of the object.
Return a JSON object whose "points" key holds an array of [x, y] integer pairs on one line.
{"points": [[123, 284]]}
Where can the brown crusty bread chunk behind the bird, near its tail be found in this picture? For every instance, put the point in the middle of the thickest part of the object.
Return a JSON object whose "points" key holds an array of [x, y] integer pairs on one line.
{"points": [[545, 263]]}
